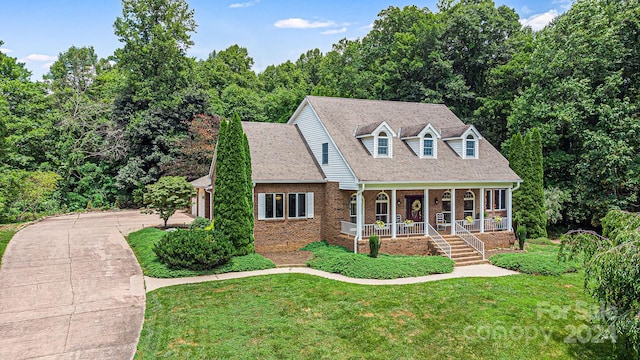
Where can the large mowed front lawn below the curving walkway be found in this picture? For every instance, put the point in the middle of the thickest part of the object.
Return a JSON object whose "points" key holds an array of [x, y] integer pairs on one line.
{"points": [[296, 316]]}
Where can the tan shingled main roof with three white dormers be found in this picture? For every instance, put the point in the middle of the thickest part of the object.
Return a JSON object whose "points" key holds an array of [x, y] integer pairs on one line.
{"points": [[341, 116]]}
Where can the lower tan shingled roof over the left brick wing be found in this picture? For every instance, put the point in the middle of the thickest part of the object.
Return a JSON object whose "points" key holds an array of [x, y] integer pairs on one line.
{"points": [[278, 154]]}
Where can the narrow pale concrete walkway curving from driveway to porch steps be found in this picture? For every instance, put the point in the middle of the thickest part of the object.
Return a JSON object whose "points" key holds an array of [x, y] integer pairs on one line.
{"points": [[483, 270]]}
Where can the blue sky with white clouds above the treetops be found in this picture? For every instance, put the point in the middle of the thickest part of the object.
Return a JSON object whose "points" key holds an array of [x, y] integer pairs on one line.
{"points": [[36, 31]]}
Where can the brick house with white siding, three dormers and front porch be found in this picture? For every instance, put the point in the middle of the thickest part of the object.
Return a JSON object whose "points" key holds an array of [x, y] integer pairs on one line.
{"points": [[344, 169]]}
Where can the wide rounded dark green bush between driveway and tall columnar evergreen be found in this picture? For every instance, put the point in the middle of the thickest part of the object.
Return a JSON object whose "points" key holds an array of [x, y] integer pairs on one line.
{"points": [[193, 249]]}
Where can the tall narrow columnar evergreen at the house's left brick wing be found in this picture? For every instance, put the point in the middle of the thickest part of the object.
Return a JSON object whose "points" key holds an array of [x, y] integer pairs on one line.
{"points": [[233, 211]]}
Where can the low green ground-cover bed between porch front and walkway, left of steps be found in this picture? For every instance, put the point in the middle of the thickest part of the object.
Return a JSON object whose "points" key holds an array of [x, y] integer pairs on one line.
{"points": [[339, 260]]}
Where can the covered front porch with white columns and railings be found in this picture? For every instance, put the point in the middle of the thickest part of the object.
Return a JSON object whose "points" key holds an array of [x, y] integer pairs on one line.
{"points": [[400, 212]]}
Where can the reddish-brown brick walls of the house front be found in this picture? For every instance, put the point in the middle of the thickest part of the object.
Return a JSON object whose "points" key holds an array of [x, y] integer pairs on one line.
{"points": [[332, 205]]}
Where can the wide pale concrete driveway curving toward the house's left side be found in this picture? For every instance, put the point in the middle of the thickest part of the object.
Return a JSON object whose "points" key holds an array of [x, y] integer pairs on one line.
{"points": [[71, 288]]}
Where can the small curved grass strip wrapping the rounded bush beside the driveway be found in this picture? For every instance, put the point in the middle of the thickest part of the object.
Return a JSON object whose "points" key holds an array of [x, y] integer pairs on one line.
{"points": [[142, 242]]}
